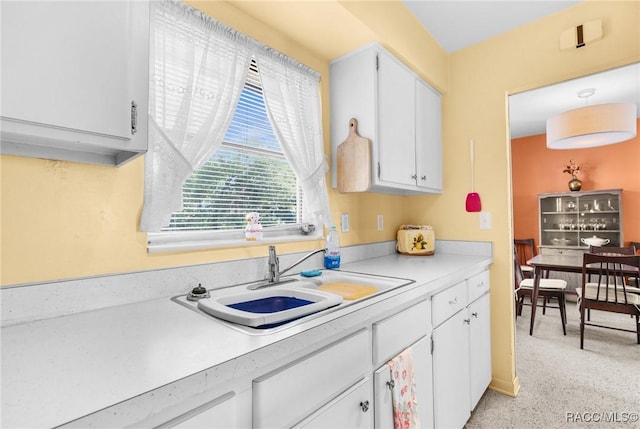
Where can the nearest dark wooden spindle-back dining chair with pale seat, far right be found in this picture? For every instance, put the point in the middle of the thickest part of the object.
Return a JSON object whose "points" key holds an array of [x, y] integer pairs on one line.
{"points": [[607, 290]]}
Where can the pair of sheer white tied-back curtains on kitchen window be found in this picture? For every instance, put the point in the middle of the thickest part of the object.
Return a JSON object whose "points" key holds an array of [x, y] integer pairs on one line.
{"points": [[197, 72]]}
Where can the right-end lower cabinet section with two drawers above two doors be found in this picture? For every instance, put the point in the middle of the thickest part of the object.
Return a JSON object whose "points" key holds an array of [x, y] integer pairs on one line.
{"points": [[461, 350]]}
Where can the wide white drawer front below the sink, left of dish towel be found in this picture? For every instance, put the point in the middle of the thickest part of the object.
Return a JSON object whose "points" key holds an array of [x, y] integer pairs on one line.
{"points": [[288, 394]]}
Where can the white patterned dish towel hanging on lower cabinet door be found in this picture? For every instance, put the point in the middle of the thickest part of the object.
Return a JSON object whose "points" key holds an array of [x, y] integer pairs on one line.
{"points": [[403, 393]]}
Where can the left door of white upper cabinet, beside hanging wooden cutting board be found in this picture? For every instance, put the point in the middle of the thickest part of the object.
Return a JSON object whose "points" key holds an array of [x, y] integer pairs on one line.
{"points": [[396, 121]]}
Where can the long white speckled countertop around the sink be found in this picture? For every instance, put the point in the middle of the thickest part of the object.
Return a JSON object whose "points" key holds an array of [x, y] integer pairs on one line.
{"points": [[59, 369]]}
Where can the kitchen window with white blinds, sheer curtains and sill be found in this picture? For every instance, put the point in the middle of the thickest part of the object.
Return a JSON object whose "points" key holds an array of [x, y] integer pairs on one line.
{"points": [[235, 127]]}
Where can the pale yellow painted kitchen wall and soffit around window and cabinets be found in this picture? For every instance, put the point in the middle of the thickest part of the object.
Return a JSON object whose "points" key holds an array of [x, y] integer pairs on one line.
{"points": [[65, 220]]}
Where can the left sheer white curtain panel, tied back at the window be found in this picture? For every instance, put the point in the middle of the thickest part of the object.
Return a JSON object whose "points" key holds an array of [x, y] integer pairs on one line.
{"points": [[197, 71]]}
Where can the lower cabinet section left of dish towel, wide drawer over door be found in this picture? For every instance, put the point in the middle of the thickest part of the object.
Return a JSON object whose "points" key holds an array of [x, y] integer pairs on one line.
{"points": [[304, 392]]}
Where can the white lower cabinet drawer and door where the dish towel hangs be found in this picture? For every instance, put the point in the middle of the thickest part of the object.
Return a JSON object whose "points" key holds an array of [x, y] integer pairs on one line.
{"points": [[410, 328]]}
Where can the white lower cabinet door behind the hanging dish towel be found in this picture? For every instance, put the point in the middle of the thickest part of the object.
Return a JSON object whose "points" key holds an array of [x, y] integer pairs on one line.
{"points": [[383, 416]]}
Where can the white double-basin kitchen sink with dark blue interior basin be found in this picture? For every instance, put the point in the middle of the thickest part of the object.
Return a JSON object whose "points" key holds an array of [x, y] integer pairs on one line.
{"points": [[262, 308]]}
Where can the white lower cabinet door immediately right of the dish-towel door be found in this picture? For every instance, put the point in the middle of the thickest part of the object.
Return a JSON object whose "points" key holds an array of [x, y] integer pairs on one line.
{"points": [[451, 372]]}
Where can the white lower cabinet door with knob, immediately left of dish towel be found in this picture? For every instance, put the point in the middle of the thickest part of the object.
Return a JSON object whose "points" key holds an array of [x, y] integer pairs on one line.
{"points": [[352, 409]]}
